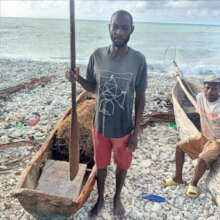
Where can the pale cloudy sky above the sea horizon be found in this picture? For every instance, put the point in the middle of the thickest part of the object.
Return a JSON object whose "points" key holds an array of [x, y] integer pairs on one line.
{"points": [[162, 11]]}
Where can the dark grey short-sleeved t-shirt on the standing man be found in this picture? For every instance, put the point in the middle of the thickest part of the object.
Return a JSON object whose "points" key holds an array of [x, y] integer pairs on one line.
{"points": [[116, 81]]}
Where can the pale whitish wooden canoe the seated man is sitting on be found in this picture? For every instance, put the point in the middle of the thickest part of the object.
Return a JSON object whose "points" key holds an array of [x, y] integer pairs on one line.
{"points": [[188, 124]]}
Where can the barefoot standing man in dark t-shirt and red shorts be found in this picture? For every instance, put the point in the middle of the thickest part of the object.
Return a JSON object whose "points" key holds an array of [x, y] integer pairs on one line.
{"points": [[115, 74]]}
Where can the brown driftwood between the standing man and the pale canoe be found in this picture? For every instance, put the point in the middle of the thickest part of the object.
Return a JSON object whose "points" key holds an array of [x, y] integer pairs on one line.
{"points": [[148, 119]]}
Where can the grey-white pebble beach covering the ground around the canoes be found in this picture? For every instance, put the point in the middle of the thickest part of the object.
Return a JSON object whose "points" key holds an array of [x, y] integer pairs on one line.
{"points": [[152, 161]]}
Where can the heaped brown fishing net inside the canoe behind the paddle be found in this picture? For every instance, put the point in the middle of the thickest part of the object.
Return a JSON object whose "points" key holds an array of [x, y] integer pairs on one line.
{"points": [[85, 112]]}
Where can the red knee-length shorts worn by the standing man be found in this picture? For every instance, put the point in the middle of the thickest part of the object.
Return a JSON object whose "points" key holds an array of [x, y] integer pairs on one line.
{"points": [[103, 149]]}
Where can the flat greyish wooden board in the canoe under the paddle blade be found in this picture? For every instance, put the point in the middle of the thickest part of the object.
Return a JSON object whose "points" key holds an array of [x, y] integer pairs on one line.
{"points": [[54, 180]]}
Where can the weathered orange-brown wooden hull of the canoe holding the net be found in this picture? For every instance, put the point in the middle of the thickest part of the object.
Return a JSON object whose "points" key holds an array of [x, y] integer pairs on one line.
{"points": [[42, 205]]}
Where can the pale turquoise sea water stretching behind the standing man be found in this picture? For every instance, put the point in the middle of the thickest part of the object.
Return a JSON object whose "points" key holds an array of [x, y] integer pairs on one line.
{"points": [[196, 48]]}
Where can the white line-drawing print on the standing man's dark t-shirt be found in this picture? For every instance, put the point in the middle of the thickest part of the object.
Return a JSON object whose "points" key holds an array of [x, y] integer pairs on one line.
{"points": [[113, 91]]}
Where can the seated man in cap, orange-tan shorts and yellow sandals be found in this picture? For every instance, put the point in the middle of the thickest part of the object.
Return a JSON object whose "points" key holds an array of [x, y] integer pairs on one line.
{"points": [[206, 145]]}
